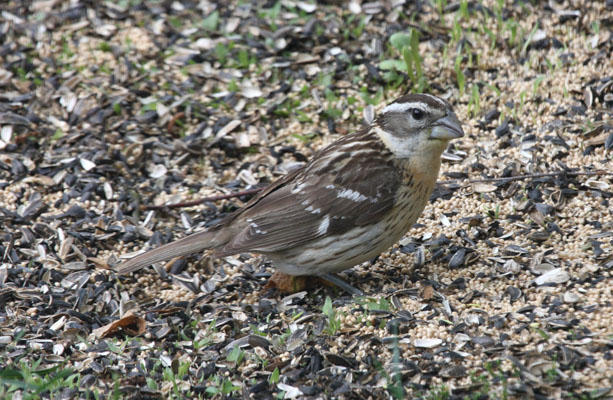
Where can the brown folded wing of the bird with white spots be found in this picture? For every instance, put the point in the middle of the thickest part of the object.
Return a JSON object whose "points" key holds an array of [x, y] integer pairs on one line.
{"points": [[315, 204]]}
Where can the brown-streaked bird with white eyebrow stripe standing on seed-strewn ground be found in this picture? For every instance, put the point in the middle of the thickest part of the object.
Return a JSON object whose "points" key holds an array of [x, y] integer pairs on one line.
{"points": [[352, 201]]}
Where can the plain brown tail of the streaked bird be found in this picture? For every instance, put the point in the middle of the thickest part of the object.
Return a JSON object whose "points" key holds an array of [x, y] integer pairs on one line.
{"points": [[191, 244]]}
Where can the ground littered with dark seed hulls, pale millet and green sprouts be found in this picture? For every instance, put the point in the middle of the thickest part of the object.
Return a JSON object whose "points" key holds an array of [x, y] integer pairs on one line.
{"points": [[109, 109]]}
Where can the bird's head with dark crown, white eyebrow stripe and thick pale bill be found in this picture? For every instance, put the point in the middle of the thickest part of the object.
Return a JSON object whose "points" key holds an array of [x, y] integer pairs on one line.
{"points": [[418, 125]]}
